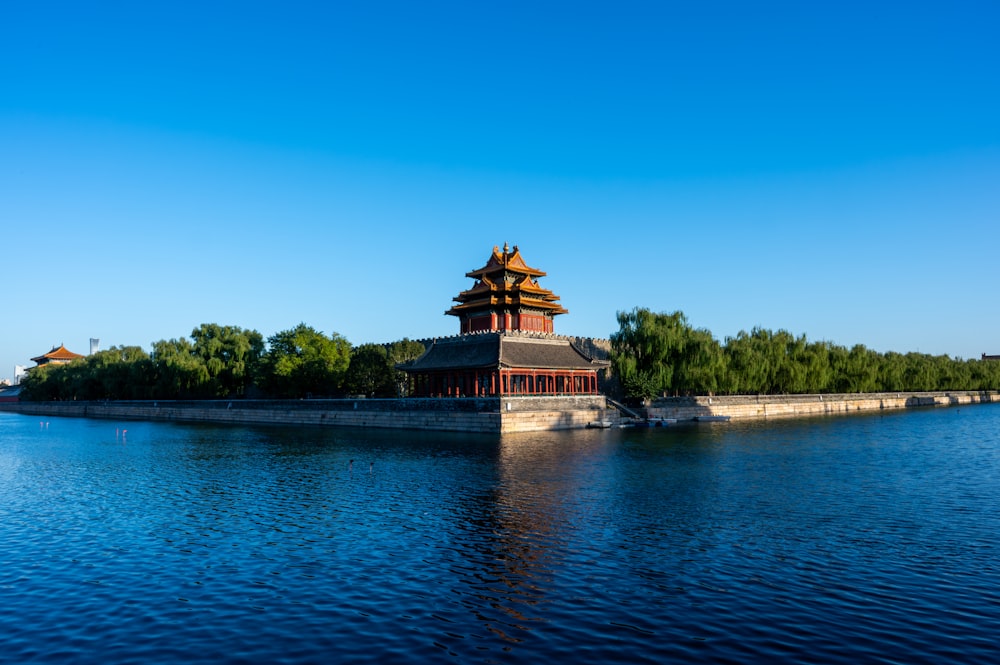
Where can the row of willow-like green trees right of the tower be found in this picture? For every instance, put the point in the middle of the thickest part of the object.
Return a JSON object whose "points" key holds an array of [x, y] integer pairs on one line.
{"points": [[662, 354]]}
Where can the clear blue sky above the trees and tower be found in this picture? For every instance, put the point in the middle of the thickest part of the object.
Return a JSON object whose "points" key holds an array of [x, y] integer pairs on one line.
{"points": [[831, 169]]}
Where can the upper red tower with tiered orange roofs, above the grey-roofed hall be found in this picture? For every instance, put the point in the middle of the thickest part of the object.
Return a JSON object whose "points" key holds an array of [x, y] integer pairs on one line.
{"points": [[506, 297]]}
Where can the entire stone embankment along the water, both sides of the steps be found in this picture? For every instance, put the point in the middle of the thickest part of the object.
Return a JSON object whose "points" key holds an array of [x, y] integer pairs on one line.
{"points": [[494, 415]]}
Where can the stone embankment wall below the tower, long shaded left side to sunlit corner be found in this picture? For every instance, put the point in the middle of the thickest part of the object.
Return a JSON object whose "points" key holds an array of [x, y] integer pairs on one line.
{"points": [[485, 415]]}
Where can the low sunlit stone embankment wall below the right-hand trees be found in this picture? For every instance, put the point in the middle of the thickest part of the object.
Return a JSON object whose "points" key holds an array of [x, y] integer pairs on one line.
{"points": [[784, 406]]}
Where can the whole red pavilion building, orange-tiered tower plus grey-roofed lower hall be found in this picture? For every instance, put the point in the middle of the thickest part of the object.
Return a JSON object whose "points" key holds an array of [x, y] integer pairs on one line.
{"points": [[506, 344]]}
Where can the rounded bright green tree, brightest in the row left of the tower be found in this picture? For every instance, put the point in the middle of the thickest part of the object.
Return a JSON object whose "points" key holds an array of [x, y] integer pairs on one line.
{"points": [[303, 361]]}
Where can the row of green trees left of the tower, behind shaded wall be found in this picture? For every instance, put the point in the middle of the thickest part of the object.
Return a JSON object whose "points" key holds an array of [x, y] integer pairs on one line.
{"points": [[227, 361]]}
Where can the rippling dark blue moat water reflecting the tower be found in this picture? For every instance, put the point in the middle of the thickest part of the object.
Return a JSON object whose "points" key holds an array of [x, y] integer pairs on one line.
{"points": [[838, 540]]}
